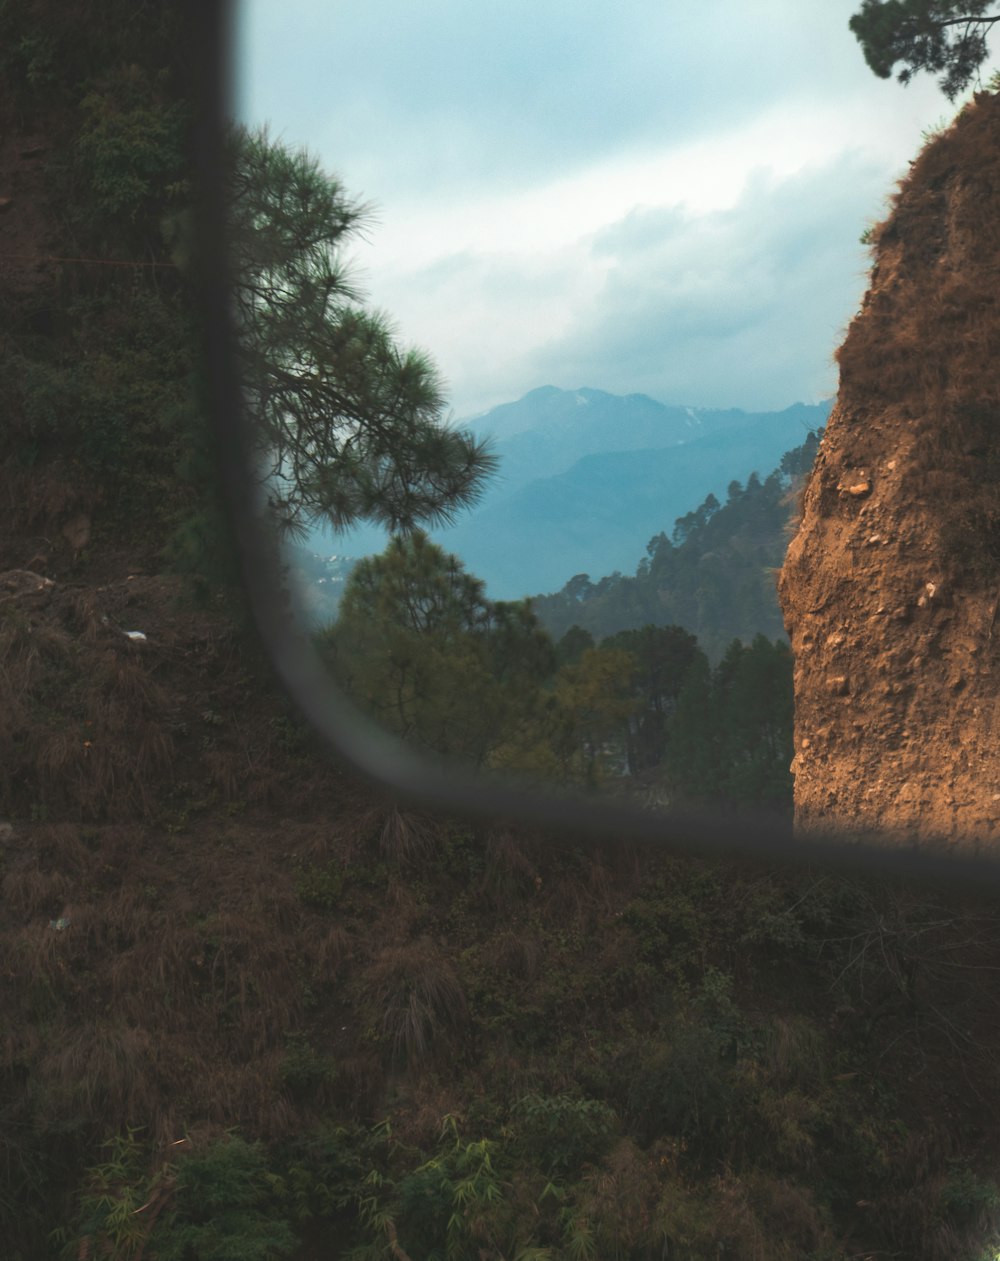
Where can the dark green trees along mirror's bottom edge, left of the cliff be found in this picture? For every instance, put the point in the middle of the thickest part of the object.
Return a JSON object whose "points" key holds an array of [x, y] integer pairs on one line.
{"points": [[419, 648]]}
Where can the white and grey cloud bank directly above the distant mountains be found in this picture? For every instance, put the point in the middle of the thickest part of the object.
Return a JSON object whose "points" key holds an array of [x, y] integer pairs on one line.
{"points": [[737, 307]]}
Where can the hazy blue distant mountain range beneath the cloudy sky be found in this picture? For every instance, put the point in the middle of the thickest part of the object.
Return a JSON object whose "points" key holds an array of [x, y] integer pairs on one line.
{"points": [[587, 479]]}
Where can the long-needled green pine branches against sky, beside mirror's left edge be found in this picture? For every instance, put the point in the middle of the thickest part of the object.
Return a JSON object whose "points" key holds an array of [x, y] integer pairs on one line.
{"points": [[350, 426]]}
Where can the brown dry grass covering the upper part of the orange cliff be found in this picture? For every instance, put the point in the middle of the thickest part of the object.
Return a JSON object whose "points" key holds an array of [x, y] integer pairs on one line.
{"points": [[926, 345]]}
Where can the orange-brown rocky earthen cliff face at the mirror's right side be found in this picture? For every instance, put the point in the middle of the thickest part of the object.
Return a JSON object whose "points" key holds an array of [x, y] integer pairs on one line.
{"points": [[892, 584]]}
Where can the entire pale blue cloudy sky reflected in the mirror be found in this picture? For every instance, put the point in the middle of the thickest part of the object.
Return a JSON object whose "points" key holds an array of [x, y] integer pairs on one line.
{"points": [[641, 196]]}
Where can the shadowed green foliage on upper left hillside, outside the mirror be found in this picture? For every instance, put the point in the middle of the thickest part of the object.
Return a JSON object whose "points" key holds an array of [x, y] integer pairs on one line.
{"points": [[104, 373]]}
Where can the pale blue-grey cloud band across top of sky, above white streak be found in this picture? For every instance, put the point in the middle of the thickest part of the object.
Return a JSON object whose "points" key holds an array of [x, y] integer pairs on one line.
{"points": [[447, 95]]}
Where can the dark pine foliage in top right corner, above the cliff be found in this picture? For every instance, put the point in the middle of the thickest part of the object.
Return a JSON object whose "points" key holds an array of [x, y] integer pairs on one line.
{"points": [[943, 37]]}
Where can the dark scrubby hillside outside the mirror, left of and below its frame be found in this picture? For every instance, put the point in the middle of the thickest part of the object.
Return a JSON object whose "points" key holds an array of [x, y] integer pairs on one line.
{"points": [[255, 1008]]}
